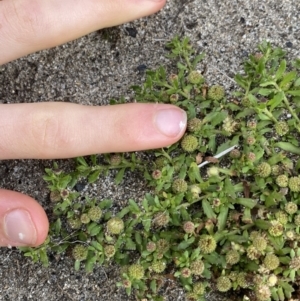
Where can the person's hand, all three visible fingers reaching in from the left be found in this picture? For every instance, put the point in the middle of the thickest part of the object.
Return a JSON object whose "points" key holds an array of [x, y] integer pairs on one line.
{"points": [[63, 130]]}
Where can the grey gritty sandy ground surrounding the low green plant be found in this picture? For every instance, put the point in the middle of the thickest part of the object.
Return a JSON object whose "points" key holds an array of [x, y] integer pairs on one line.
{"points": [[103, 65]]}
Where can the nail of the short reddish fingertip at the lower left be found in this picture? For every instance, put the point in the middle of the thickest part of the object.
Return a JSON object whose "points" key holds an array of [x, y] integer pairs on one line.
{"points": [[19, 228]]}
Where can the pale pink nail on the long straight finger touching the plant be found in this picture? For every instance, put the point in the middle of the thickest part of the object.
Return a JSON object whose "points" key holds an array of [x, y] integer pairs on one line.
{"points": [[171, 122]]}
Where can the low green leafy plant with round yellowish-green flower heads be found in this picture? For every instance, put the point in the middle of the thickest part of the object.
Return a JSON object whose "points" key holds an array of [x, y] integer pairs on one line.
{"points": [[233, 224]]}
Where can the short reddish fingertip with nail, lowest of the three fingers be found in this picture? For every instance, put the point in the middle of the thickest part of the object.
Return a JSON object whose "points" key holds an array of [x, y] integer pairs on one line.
{"points": [[23, 222]]}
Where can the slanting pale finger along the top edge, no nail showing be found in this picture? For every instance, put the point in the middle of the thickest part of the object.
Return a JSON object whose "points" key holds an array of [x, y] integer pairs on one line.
{"points": [[29, 25]]}
